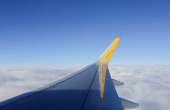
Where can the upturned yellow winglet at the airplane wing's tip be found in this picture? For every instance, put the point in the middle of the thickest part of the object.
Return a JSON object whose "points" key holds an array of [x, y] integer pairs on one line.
{"points": [[109, 51]]}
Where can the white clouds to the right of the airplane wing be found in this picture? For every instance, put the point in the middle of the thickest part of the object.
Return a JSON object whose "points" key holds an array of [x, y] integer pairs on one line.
{"points": [[149, 85]]}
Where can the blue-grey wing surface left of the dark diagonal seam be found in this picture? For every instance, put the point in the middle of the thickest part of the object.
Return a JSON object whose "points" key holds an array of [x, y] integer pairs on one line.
{"points": [[69, 93]]}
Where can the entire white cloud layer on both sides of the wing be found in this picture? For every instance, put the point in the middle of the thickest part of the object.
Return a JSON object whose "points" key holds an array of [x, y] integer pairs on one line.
{"points": [[148, 85]]}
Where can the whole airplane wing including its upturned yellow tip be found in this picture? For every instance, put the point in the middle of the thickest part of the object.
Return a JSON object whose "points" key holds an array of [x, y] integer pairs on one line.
{"points": [[90, 88]]}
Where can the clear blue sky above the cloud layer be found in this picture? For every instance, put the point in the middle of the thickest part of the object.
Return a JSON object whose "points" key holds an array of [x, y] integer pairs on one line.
{"points": [[77, 32]]}
